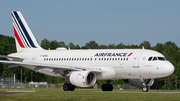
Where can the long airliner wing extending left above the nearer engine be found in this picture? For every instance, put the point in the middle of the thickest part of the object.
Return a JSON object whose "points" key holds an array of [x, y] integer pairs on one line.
{"points": [[50, 66]]}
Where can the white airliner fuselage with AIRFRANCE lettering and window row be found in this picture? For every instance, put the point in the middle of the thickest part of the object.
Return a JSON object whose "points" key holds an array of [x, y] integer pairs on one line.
{"points": [[115, 63]]}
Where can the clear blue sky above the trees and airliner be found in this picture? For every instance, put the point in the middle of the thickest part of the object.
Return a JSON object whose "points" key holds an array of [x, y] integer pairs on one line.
{"points": [[105, 21]]}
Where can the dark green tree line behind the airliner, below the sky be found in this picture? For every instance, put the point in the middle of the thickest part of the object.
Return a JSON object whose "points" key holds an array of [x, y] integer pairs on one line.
{"points": [[169, 49]]}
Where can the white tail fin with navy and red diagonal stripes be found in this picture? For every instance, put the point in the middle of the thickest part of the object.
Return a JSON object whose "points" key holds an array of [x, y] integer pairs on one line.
{"points": [[25, 39]]}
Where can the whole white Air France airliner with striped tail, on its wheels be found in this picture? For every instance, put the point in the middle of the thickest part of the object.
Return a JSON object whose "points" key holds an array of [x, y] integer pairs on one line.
{"points": [[84, 67]]}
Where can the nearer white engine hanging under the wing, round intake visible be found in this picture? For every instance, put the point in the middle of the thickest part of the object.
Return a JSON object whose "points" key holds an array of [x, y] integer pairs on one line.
{"points": [[82, 78]]}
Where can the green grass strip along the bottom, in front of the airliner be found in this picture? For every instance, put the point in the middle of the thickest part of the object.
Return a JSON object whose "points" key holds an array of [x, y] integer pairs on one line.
{"points": [[53, 94]]}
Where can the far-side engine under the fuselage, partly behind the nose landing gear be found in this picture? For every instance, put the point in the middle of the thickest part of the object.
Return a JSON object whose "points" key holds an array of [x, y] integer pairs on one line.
{"points": [[138, 82]]}
